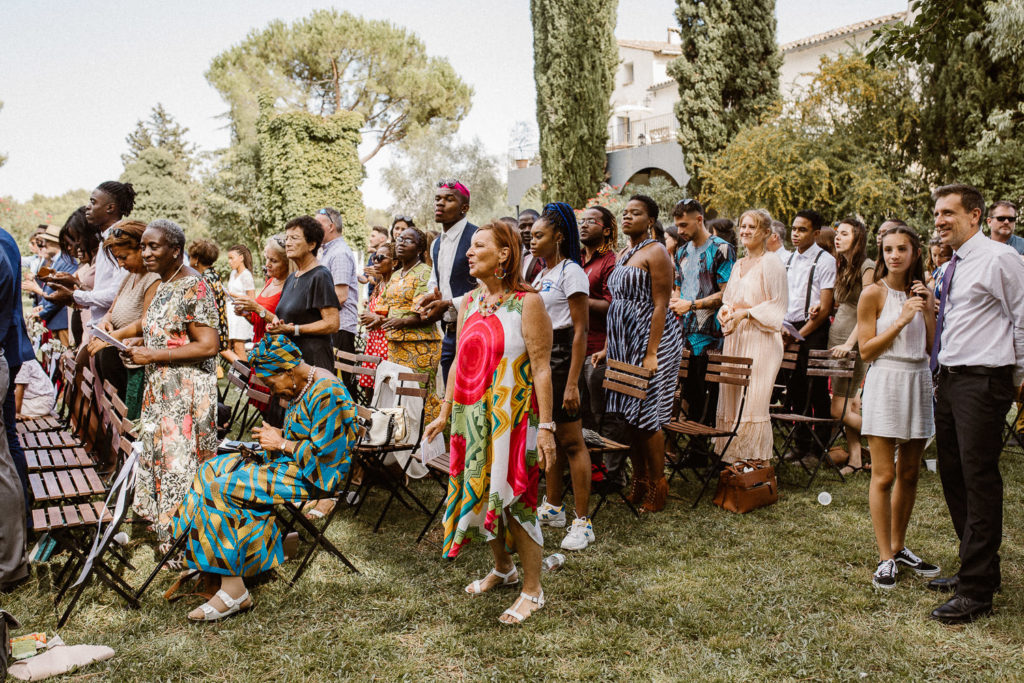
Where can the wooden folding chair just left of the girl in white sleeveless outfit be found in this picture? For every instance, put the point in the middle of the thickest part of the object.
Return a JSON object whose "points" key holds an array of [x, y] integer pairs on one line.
{"points": [[786, 424]]}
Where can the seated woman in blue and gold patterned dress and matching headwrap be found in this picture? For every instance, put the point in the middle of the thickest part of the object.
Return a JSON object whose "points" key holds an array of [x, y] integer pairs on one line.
{"points": [[233, 531]]}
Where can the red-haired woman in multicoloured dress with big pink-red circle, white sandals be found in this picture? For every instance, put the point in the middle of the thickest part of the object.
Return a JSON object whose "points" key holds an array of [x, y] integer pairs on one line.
{"points": [[500, 372]]}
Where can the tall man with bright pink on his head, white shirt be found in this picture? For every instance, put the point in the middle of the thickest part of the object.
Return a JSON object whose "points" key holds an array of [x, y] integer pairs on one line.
{"points": [[450, 278]]}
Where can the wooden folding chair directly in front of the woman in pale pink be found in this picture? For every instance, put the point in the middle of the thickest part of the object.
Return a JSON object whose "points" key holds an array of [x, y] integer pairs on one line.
{"points": [[721, 370]]}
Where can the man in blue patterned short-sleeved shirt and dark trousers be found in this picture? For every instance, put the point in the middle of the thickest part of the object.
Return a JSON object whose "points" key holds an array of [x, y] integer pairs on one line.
{"points": [[704, 265]]}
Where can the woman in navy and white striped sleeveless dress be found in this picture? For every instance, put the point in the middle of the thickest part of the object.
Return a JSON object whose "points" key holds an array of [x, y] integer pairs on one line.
{"points": [[644, 332]]}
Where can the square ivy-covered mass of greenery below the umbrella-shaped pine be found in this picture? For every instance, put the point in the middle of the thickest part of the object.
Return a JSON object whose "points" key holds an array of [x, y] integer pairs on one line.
{"points": [[308, 162]]}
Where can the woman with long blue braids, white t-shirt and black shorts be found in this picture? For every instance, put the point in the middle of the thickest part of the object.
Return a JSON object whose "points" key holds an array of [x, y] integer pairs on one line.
{"points": [[565, 288]]}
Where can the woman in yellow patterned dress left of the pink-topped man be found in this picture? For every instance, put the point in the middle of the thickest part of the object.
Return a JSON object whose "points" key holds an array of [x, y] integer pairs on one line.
{"points": [[411, 341]]}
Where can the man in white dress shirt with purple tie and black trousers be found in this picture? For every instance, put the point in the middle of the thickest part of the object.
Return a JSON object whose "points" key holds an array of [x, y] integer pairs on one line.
{"points": [[978, 358]]}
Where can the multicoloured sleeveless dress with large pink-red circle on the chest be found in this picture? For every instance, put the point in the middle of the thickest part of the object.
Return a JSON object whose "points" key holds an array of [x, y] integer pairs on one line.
{"points": [[494, 471]]}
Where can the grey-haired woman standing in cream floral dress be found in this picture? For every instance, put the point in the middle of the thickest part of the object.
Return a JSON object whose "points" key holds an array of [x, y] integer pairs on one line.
{"points": [[179, 350]]}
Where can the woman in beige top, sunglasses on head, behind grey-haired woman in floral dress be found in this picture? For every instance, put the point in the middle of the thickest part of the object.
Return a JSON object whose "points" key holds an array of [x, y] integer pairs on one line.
{"points": [[124, 320]]}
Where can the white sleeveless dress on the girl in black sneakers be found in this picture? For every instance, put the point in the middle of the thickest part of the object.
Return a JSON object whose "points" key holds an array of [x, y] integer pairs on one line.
{"points": [[898, 399]]}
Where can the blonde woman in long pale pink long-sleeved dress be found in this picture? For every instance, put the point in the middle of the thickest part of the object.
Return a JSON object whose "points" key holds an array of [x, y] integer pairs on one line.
{"points": [[753, 308]]}
